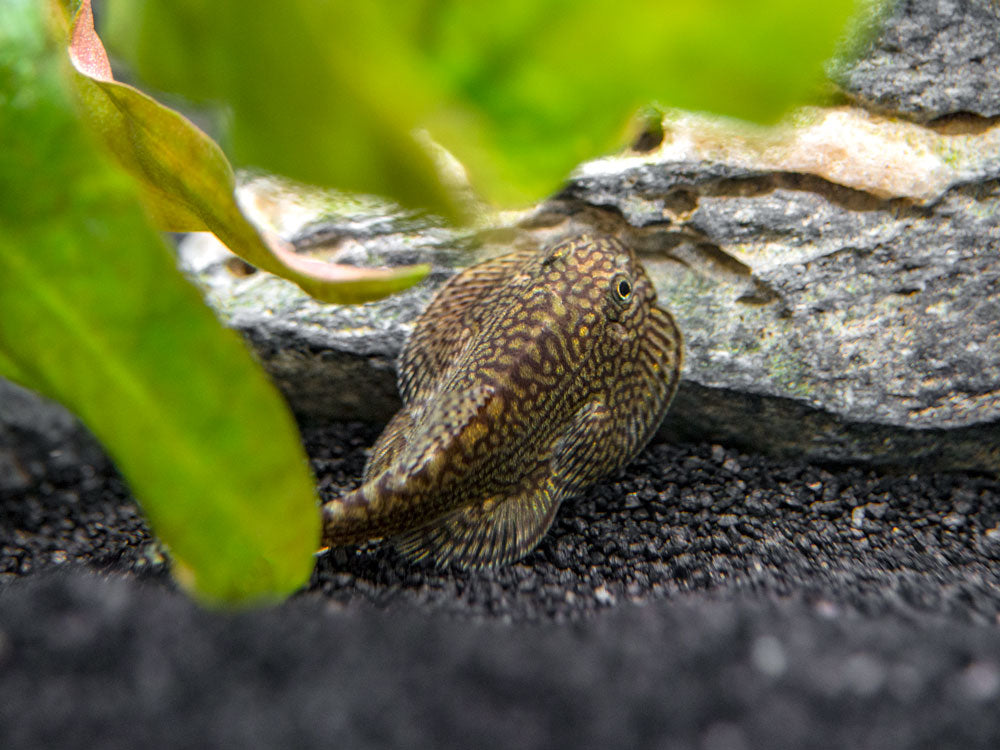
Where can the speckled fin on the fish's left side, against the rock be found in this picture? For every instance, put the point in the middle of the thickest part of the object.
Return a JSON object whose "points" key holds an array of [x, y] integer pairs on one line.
{"points": [[450, 320]]}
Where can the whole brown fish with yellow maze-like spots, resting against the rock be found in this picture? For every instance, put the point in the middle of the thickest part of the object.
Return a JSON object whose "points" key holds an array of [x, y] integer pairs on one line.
{"points": [[527, 378]]}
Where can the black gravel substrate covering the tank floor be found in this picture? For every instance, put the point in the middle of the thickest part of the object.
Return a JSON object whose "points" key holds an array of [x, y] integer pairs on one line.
{"points": [[701, 599]]}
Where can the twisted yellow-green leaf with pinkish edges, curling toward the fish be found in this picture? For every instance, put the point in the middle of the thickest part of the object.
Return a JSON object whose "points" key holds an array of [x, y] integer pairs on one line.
{"points": [[188, 184]]}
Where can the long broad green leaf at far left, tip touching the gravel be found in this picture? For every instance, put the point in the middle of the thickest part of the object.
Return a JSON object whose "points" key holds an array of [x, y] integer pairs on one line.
{"points": [[94, 313]]}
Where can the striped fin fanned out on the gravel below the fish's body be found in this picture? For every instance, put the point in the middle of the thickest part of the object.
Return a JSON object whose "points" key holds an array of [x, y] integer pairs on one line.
{"points": [[495, 531]]}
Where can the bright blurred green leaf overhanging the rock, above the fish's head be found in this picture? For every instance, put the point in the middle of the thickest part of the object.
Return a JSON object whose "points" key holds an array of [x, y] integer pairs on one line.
{"points": [[551, 84]]}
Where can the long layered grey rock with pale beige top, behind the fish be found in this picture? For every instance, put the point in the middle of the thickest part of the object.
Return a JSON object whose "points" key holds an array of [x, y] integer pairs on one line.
{"points": [[824, 322]]}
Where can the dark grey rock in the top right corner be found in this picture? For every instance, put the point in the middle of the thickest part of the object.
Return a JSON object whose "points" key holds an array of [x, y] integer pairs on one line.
{"points": [[932, 58]]}
